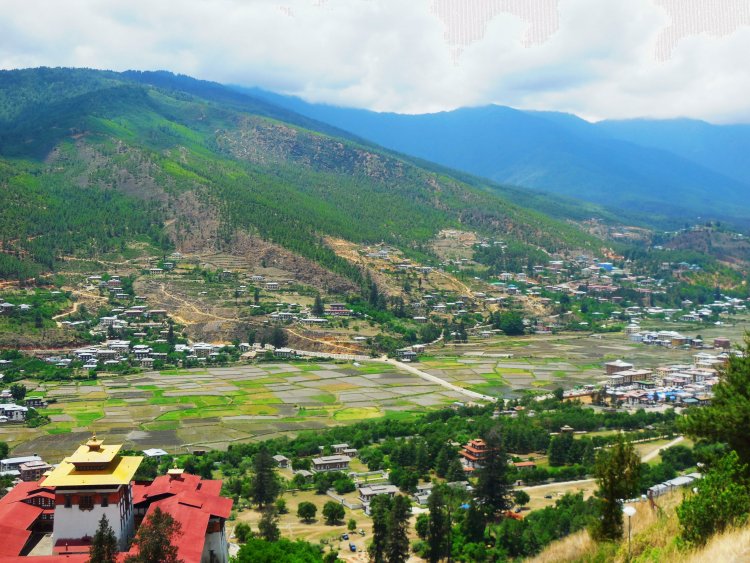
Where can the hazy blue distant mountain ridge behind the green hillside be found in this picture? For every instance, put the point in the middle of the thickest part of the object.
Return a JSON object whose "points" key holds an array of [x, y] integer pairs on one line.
{"points": [[678, 170]]}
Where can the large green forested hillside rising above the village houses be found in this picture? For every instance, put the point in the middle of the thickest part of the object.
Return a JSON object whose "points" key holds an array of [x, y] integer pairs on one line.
{"points": [[90, 160]]}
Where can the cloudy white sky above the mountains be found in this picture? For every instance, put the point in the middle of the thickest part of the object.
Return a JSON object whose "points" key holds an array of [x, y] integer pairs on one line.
{"points": [[596, 58]]}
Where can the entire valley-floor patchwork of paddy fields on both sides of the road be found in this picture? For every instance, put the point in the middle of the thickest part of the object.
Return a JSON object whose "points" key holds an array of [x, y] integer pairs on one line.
{"points": [[210, 408]]}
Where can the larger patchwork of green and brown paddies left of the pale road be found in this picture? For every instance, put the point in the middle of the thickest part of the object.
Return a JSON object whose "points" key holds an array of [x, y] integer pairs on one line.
{"points": [[183, 410]]}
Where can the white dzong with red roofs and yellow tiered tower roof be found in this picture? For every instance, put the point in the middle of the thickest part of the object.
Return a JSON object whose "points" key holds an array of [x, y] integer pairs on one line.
{"points": [[54, 518]]}
